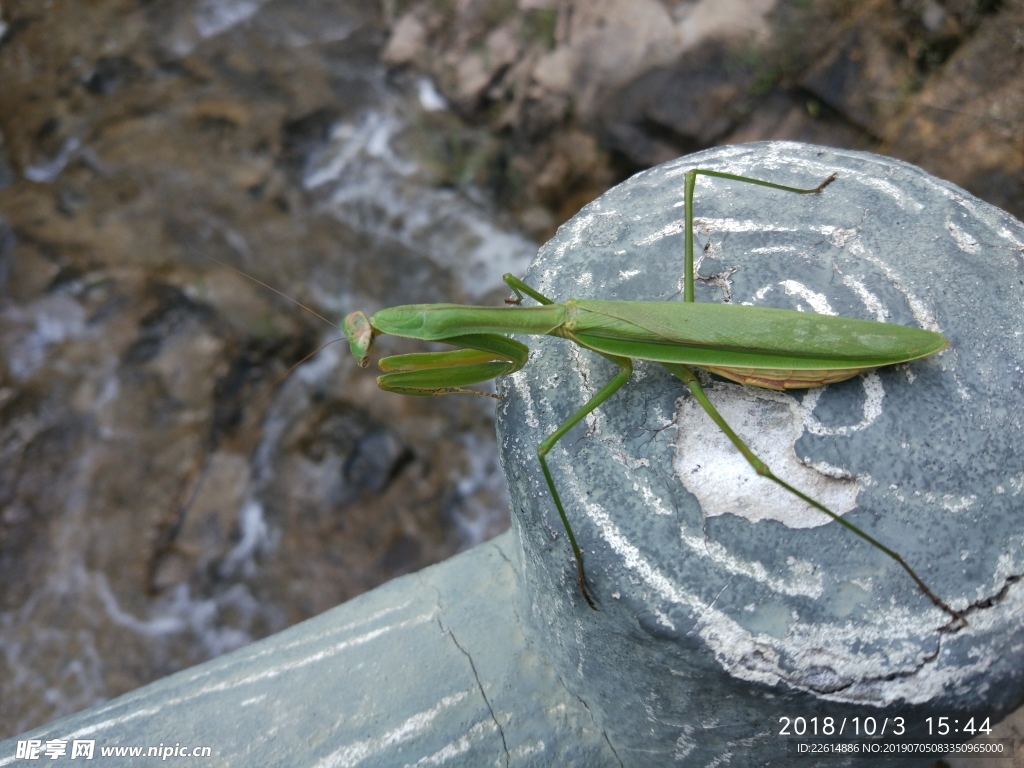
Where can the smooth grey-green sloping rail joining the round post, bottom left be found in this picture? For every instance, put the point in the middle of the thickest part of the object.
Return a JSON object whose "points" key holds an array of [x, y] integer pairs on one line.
{"points": [[433, 667]]}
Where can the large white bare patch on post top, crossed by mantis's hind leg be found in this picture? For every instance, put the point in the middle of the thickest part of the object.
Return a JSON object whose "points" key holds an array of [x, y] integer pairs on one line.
{"points": [[711, 467]]}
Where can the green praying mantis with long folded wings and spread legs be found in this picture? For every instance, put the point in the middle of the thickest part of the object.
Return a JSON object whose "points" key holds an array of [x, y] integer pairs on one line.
{"points": [[758, 347]]}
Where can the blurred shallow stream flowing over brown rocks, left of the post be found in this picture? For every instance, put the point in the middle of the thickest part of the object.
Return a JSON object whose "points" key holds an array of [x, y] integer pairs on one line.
{"points": [[164, 496]]}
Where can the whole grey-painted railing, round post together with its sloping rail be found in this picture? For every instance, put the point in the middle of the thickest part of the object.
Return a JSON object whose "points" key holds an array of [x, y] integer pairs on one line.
{"points": [[733, 620]]}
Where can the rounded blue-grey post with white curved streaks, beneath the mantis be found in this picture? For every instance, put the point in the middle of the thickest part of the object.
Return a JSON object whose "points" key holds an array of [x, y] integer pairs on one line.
{"points": [[782, 617]]}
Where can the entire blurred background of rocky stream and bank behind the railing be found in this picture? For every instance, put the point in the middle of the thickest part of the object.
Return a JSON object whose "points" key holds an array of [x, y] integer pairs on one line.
{"points": [[164, 496]]}
